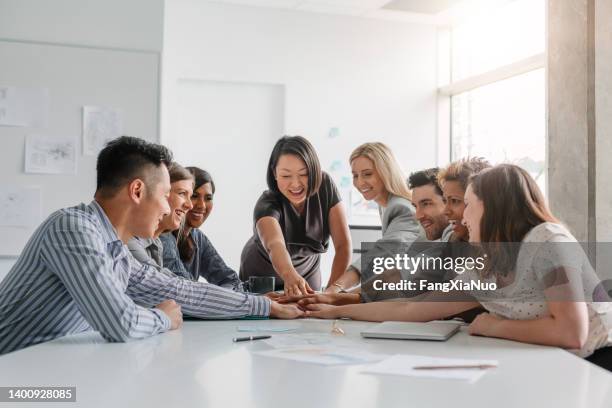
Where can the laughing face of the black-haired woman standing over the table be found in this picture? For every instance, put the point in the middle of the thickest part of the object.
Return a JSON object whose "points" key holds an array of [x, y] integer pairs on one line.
{"points": [[291, 176]]}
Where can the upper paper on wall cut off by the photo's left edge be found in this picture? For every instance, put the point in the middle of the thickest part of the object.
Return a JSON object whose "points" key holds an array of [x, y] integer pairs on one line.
{"points": [[23, 106]]}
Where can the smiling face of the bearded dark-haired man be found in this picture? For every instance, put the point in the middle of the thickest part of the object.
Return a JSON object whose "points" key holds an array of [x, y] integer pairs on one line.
{"points": [[430, 210]]}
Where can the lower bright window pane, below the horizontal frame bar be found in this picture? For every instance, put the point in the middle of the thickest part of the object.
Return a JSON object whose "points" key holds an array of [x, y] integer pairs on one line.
{"points": [[504, 122]]}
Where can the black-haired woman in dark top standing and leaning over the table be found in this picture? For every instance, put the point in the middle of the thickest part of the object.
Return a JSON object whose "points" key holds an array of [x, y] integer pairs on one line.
{"points": [[294, 220]]}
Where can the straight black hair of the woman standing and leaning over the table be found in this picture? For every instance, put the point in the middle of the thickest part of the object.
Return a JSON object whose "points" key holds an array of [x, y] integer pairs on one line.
{"points": [[298, 146]]}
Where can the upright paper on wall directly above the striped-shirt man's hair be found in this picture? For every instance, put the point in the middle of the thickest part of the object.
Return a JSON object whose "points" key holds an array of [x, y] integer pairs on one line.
{"points": [[100, 125]]}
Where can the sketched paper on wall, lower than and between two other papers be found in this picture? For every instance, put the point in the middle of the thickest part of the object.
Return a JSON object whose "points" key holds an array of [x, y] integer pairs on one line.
{"points": [[50, 155]]}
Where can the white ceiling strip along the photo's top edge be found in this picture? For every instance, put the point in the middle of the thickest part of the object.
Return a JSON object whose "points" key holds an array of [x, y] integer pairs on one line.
{"points": [[437, 12]]}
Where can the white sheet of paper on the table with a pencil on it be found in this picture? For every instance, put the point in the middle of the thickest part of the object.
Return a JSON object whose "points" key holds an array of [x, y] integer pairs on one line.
{"points": [[403, 364]]}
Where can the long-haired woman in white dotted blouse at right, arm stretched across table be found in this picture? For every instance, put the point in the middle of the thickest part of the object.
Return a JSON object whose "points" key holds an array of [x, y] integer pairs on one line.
{"points": [[547, 294]]}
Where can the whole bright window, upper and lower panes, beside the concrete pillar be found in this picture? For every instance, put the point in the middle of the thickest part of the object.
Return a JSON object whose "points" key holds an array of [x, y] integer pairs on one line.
{"points": [[497, 87]]}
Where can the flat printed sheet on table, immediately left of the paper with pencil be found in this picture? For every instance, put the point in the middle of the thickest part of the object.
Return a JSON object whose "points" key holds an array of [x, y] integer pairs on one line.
{"points": [[323, 355]]}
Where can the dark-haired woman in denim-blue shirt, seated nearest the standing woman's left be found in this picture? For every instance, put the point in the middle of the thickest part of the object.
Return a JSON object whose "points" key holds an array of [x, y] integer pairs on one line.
{"points": [[188, 251]]}
